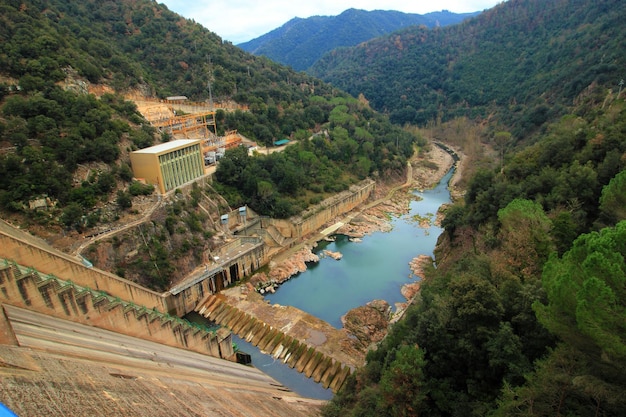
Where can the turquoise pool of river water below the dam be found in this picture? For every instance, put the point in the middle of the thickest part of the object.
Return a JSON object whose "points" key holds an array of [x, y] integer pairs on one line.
{"points": [[375, 268]]}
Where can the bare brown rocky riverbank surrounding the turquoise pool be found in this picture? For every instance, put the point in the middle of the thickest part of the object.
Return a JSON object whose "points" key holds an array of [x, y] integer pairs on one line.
{"points": [[365, 325]]}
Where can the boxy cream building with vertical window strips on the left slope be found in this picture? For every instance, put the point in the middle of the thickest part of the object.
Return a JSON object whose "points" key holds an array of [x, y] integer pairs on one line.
{"points": [[169, 165]]}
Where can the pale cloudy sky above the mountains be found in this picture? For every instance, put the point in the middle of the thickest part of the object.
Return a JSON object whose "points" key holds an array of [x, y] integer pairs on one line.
{"points": [[239, 21]]}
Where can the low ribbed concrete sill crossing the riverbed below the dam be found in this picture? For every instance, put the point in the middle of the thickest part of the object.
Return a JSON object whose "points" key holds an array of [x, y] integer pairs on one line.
{"points": [[304, 355]]}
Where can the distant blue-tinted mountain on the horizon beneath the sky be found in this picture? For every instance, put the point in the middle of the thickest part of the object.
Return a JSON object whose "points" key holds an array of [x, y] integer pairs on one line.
{"points": [[300, 42]]}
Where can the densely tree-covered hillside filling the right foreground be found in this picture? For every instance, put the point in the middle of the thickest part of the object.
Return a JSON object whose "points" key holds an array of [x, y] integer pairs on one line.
{"points": [[525, 314]]}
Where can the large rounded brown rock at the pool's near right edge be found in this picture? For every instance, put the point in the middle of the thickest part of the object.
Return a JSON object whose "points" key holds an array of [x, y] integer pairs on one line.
{"points": [[368, 323]]}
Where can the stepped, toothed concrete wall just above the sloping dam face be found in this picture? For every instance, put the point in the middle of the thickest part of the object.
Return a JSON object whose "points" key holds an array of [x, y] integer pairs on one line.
{"points": [[26, 288]]}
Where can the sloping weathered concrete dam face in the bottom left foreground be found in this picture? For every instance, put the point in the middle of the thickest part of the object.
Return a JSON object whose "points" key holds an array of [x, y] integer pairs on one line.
{"points": [[67, 369]]}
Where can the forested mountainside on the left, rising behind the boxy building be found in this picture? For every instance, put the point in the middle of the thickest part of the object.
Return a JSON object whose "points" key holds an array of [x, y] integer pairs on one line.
{"points": [[52, 53]]}
